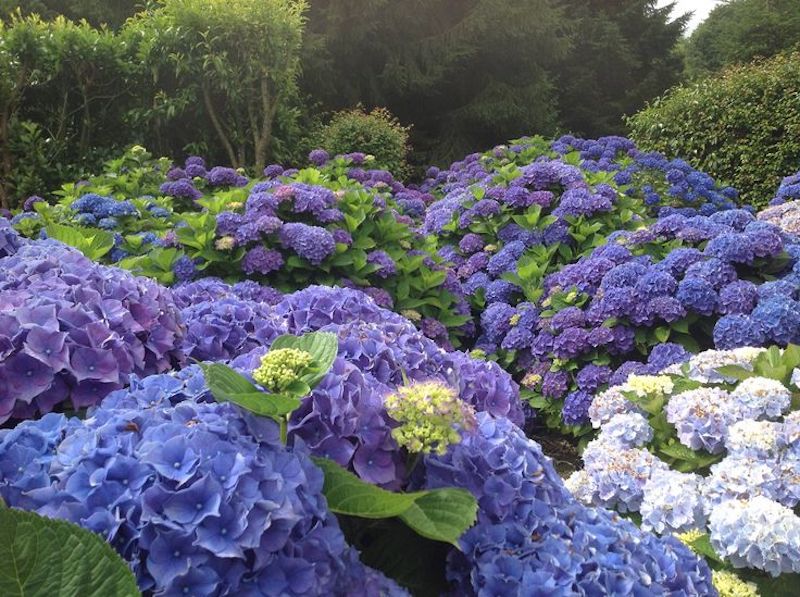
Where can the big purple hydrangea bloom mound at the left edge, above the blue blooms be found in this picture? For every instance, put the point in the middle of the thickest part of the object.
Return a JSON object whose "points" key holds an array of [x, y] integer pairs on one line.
{"points": [[74, 330]]}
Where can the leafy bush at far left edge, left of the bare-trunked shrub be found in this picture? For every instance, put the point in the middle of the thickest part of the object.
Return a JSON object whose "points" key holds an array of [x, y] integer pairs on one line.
{"points": [[57, 78]]}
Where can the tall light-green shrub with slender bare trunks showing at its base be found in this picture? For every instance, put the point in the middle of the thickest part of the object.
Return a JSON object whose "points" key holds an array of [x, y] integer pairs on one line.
{"points": [[227, 66]]}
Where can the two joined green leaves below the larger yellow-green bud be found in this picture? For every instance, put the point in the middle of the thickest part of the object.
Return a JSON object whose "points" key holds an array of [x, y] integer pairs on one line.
{"points": [[438, 514]]}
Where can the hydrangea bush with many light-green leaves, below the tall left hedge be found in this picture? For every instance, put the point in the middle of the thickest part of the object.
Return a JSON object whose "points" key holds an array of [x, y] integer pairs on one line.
{"points": [[338, 223]]}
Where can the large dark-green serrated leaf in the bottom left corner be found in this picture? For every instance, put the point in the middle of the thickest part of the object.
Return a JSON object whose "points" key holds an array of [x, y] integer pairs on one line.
{"points": [[42, 556]]}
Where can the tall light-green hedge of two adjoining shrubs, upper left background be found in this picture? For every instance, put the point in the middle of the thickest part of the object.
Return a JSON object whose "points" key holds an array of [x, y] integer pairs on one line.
{"points": [[205, 76]]}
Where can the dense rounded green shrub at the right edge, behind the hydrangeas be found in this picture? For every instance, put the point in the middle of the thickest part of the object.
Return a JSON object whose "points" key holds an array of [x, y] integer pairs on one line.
{"points": [[741, 127]]}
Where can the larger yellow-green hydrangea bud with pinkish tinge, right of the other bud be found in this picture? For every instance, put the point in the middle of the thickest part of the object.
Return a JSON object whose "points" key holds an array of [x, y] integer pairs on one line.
{"points": [[431, 417]]}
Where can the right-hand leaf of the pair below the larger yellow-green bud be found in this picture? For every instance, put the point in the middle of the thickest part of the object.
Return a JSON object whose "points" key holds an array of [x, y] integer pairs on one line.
{"points": [[442, 514]]}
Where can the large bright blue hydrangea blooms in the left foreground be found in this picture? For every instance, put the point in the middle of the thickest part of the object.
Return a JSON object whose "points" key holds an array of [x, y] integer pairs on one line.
{"points": [[199, 498]]}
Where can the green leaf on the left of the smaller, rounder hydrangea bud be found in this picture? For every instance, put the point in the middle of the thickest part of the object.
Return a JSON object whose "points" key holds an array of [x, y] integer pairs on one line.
{"points": [[227, 385]]}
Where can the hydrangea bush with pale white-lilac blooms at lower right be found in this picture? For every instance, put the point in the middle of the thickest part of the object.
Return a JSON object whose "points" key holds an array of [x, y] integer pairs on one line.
{"points": [[709, 448]]}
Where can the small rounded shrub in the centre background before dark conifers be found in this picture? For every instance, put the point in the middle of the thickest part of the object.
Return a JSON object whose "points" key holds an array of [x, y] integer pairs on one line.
{"points": [[377, 133]]}
